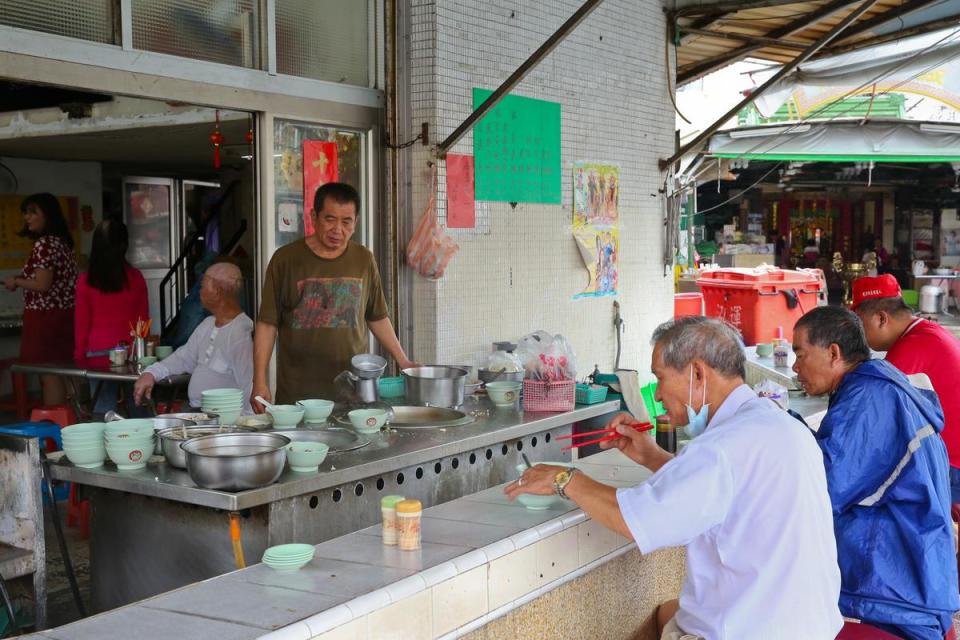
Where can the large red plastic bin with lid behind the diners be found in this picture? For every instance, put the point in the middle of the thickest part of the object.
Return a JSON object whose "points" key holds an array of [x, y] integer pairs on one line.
{"points": [[757, 301]]}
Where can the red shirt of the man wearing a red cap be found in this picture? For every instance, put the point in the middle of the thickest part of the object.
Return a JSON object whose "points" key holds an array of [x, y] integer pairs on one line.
{"points": [[926, 347]]}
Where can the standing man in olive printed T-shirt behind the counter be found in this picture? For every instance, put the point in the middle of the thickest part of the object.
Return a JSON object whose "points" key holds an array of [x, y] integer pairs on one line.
{"points": [[320, 296]]}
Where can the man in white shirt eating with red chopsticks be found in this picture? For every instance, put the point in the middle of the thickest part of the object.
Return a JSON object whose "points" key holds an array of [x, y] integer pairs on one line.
{"points": [[747, 497]]}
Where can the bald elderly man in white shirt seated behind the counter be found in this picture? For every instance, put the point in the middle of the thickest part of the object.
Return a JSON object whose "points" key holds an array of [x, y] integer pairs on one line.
{"points": [[219, 352]]}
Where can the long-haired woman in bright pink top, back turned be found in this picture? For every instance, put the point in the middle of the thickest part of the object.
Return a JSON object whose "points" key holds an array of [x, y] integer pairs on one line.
{"points": [[110, 295]]}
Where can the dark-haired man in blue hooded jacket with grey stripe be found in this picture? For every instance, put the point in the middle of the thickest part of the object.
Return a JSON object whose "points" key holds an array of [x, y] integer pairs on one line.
{"points": [[887, 477]]}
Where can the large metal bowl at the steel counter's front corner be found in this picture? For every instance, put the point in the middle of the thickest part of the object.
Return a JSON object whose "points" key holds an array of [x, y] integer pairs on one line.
{"points": [[235, 461]]}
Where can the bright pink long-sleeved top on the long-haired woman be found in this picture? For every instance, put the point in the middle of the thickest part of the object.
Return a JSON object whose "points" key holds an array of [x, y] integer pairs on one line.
{"points": [[103, 319]]}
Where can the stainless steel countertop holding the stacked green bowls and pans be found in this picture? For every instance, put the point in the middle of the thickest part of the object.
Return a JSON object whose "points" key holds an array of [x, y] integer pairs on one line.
{"points": [[388, 451]]}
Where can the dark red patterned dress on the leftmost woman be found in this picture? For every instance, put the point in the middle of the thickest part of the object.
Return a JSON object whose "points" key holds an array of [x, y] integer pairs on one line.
{"points": [[48, 315]]}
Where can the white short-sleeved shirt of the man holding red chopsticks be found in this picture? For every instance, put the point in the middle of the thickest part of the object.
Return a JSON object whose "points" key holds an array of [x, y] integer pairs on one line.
{"points": [[748, 498]]}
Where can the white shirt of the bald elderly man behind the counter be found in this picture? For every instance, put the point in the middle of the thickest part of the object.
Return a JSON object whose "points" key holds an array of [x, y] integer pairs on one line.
{"points": [[215, 357]]}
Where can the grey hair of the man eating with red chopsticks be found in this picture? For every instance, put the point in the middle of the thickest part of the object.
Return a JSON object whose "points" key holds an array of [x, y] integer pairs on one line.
{"points": [[712, 340]]}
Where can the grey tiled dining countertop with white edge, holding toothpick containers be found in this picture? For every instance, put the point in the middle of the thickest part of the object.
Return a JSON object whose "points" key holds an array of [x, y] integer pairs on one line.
{"points": [[356, 574]]}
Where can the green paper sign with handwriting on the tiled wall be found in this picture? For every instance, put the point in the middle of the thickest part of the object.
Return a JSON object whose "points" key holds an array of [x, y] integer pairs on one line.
{"points": [[516, 150]]}
